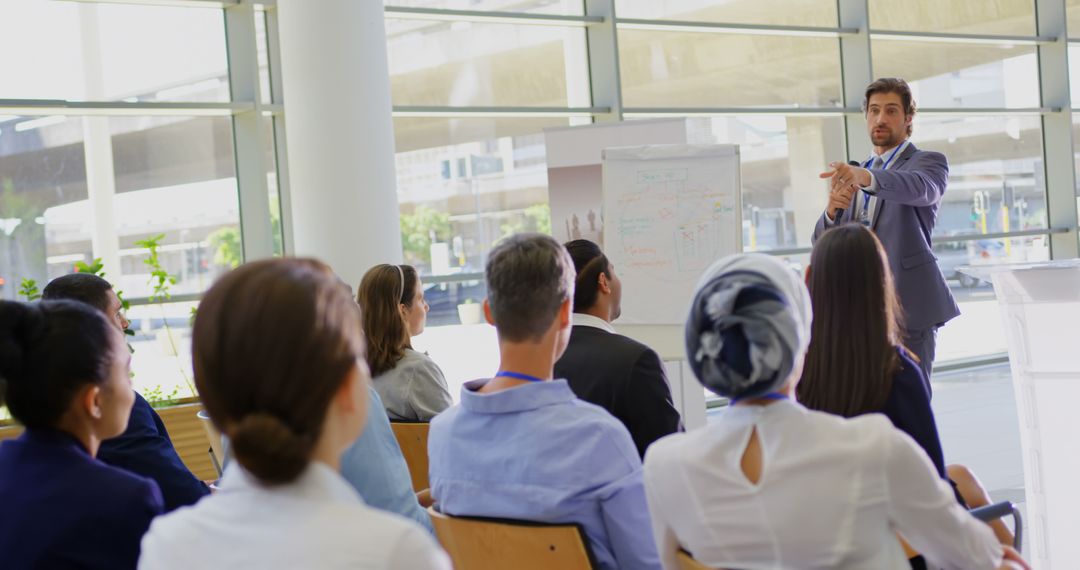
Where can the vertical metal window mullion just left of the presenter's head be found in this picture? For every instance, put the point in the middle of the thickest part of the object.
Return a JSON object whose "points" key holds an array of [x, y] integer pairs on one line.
{"points": [[857, 72]]}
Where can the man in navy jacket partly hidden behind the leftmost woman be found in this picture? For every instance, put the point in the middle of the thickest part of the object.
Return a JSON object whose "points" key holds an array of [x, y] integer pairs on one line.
{"points": [[145, 447]]}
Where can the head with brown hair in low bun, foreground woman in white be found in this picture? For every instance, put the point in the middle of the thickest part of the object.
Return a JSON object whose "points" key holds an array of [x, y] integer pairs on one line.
{"points": [[274, 343]]}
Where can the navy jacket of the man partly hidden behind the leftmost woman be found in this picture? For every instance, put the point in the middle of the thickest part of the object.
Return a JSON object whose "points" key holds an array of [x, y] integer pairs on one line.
{"points": [[146, 450]]}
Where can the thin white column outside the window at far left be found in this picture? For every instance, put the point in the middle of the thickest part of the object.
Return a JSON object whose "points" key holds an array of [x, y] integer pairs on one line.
{"points": [[98, 152]]}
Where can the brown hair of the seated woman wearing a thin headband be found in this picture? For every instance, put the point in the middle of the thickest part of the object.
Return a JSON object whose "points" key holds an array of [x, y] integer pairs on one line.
{"points": [[384, 290]]}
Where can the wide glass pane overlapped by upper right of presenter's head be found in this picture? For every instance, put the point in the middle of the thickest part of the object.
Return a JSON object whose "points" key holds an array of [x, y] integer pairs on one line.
{"points": [[956, 75]]}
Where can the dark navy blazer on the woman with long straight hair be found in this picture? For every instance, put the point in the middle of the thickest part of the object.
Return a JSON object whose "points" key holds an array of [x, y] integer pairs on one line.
{"points": [[909, 409]]}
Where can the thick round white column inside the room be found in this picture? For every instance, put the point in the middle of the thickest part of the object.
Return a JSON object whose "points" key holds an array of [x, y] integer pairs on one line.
{"points": [[336, 91]]}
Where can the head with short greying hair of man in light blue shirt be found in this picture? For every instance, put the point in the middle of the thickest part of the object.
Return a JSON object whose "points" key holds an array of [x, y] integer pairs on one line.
{"points": [[530, 278]]}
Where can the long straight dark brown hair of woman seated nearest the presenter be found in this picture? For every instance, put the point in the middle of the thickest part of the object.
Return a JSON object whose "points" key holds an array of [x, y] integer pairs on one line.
{"points": [[853, 354]]}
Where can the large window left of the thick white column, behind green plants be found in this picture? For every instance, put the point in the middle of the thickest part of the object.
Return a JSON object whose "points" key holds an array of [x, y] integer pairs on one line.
{"points": [[118, 142]]}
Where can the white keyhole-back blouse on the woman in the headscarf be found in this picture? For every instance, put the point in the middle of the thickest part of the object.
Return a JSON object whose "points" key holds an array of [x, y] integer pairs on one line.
{"points": [[833, 493]]}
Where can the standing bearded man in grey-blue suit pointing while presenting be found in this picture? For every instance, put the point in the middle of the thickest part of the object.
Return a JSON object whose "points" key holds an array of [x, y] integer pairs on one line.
{"points": [[897, 193]]}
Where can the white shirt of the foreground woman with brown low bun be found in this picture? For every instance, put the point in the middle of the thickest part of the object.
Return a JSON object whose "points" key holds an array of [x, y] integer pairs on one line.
{"points": [[317, 522]]}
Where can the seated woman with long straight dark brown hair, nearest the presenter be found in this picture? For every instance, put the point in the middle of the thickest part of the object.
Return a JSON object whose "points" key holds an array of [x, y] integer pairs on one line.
{"points": [[856, 363]]}
